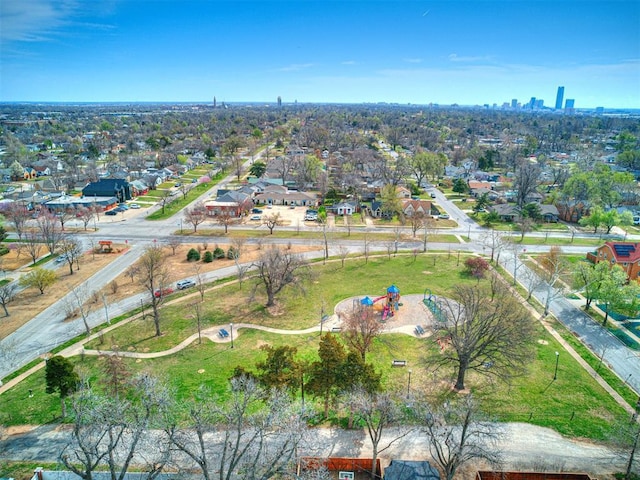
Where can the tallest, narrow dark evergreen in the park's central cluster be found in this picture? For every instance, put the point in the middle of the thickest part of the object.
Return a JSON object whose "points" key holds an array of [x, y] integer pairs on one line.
{"points": [[325, 380]]}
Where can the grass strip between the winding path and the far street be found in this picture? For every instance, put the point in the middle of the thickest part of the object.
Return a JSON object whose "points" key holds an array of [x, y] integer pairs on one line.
{"points": [[299, 308]]}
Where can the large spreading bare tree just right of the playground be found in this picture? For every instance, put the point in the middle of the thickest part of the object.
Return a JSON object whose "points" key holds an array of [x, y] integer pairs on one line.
{"points": [[492, 337]]}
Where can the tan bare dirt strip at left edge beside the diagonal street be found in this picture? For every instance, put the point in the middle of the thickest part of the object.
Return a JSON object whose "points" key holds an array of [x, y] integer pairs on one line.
{"points": [[30, 301]]}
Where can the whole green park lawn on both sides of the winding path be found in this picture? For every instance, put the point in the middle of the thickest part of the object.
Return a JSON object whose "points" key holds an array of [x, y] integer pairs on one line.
{"points": [[574, 404]]}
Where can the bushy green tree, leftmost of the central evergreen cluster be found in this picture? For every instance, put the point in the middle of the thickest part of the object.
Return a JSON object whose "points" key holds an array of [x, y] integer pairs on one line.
{"points": [[280, 369]]}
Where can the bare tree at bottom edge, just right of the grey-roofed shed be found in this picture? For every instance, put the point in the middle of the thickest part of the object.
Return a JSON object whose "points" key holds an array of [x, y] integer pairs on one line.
{"points": [[458, 434]]}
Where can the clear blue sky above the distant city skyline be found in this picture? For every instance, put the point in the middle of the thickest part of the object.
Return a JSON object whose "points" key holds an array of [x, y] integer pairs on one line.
{"points": [[348, 51]]}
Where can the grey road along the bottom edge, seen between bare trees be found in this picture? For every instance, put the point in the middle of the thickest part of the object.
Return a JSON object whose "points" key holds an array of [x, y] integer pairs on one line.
{"points": [[523, 446]]}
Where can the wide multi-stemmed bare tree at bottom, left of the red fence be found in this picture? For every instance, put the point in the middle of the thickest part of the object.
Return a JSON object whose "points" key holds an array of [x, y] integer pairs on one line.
{"points": [[257, 434]]}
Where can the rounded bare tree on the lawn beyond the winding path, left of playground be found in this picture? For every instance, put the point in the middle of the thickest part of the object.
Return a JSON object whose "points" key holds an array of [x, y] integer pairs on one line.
{"points": [[278, 269]]}
